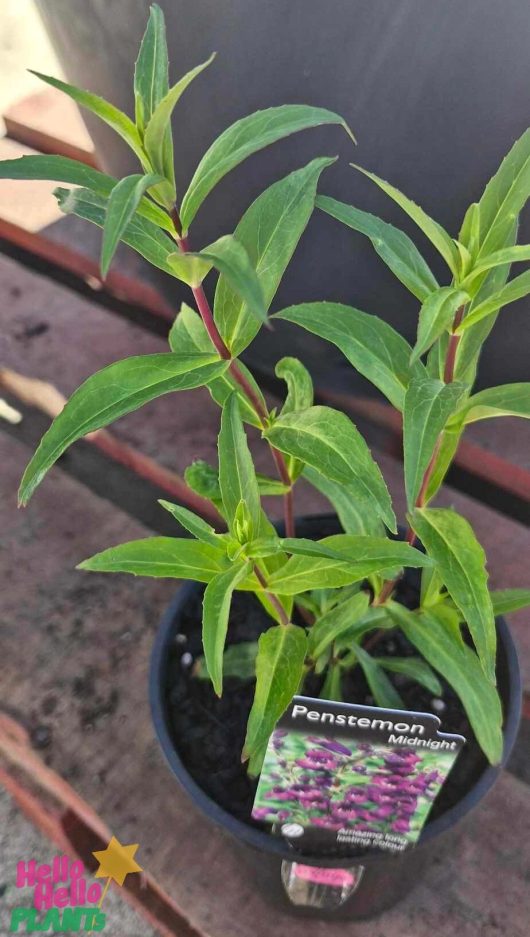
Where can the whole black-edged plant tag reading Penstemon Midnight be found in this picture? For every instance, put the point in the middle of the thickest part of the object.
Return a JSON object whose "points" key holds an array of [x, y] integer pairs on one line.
{"points": [[337, 774]]}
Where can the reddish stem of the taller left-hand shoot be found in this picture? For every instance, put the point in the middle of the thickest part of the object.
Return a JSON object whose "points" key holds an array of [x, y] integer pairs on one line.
{"points": [[224, 352]]}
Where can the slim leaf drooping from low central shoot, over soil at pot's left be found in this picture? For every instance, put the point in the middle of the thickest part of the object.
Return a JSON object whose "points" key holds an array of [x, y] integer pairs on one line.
{"points": [[215, 612]]}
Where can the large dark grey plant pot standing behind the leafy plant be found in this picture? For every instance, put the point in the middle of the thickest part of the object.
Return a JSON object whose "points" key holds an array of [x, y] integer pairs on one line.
{"points": [[435, 92]]}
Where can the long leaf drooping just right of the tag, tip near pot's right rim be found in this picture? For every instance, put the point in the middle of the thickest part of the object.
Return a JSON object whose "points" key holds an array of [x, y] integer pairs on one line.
{"points": [[460, 666]]}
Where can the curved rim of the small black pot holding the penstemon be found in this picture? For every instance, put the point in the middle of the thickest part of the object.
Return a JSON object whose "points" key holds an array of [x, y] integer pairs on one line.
{"points": [[265, 842]]}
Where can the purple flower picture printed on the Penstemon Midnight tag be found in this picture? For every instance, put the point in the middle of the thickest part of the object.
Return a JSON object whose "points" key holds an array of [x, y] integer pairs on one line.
{"points": [[336, 784]]}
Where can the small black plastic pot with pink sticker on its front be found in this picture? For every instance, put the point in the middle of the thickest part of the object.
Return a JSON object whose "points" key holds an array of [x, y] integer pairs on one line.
{"points": [[370, 884]]}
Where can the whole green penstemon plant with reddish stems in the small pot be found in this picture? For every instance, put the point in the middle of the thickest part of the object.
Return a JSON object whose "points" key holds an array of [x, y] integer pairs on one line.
{"points": [[342, 586]]}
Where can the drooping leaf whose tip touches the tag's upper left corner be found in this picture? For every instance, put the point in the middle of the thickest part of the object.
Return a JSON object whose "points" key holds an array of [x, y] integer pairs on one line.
{"points": [[279, 670]]}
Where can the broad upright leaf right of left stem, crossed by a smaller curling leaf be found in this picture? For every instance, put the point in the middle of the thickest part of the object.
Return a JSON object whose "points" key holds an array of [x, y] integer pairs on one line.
{"points": [[269, 231]]}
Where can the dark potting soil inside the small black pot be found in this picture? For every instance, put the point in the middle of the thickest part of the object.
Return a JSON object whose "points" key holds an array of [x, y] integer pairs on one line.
{"points": [[209, 732]]}
